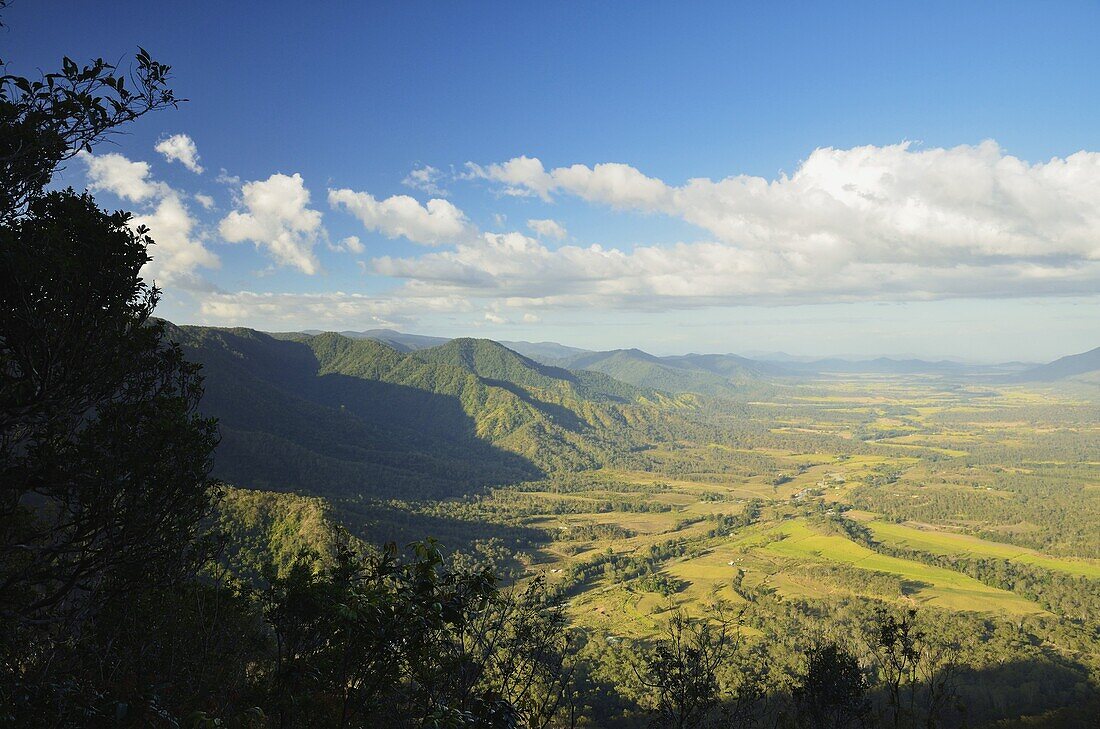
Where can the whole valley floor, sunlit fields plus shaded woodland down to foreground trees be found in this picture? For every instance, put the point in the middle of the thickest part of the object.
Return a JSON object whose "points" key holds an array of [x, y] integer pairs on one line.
{"points": [[798, 514]]}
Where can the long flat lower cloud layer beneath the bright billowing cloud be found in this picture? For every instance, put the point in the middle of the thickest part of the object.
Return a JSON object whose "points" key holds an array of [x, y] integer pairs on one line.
{"points": [[530, 275]]}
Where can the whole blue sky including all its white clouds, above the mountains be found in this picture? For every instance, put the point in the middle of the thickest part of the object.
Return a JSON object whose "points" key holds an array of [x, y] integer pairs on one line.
{"points": [[812, 226]]}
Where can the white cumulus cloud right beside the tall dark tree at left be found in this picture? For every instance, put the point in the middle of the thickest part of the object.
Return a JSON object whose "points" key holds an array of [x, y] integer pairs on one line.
{"points": [[180, 249]]}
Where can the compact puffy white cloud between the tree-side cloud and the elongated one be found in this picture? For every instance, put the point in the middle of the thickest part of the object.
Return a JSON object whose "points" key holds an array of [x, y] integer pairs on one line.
{"points": [[278, 217]]}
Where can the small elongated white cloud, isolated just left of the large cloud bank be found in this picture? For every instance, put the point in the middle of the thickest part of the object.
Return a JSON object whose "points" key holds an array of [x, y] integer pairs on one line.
{"points": [[435, 224]]}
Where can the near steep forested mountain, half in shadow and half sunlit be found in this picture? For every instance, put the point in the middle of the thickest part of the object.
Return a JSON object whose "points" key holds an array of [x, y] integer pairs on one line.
{"points": [[335, 416]]}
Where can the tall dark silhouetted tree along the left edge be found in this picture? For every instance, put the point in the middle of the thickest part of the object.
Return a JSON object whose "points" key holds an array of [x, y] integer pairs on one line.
{"points": [[104, 460]]}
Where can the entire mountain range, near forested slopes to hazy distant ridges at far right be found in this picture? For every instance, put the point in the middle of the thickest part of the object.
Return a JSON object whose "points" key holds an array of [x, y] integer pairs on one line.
{"points": [[384, 413]]}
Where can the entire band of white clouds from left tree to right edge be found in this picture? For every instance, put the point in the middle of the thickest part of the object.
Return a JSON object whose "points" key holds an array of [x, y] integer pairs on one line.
{"points": [[870, 224]]}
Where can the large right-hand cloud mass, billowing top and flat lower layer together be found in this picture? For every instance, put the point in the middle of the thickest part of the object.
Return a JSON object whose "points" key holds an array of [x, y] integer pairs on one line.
{"points": [[874, 223]]}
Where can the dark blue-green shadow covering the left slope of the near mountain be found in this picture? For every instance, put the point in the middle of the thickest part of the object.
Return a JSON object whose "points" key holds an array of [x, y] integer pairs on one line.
{"points": [[288, 428]]}
